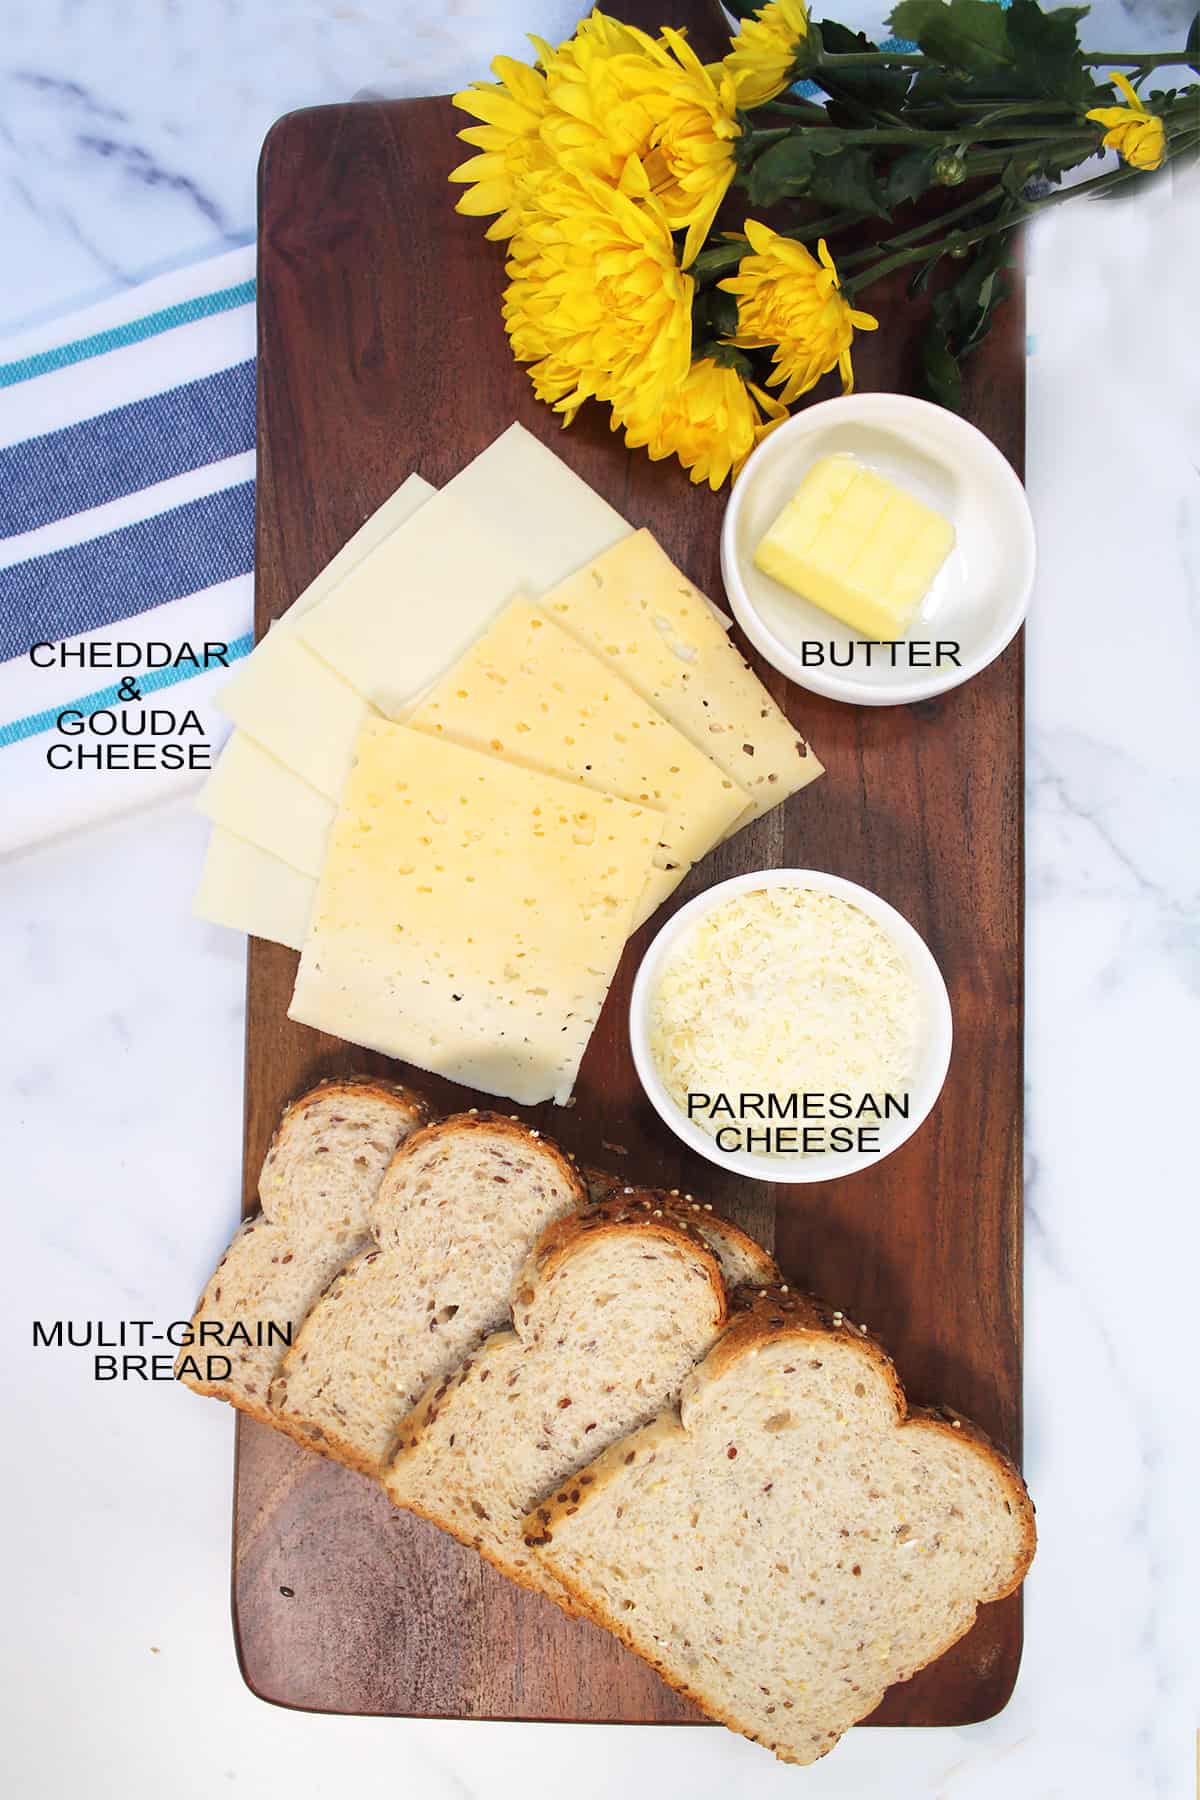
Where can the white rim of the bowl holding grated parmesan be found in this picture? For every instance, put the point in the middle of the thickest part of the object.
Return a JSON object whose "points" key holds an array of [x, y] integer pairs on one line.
{"points": [[936, 1032]]}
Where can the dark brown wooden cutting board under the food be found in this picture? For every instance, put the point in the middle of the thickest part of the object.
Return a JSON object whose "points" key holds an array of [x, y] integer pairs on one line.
{"points": [[381, 352]]}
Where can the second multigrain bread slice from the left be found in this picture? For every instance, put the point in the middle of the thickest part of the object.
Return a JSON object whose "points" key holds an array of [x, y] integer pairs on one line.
{"points": [[454, 1219]]}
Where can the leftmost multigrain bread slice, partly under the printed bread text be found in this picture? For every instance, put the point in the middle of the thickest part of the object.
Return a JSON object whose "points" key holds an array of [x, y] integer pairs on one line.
{"points": [[321, 1171]]}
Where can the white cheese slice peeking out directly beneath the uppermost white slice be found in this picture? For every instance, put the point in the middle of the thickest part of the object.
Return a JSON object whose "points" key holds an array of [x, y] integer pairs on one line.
{"points": [[292, 703]]}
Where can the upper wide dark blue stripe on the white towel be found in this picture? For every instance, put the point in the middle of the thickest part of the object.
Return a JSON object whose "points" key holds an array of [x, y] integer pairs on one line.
{"points": [[125, 451]]}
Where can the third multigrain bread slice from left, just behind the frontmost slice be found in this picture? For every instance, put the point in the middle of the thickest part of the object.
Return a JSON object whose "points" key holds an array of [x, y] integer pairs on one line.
{"points": [[613, 1309]]}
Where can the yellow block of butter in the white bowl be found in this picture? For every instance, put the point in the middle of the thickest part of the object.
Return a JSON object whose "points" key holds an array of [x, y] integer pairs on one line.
{"points": [[857, 546]]}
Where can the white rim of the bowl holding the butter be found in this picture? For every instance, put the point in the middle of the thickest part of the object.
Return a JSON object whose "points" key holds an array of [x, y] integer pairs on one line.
{"points": [[837, 687]]}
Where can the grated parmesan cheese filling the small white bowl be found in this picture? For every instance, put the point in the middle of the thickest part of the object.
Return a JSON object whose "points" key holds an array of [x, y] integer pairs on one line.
{"points": [[785, 993]]}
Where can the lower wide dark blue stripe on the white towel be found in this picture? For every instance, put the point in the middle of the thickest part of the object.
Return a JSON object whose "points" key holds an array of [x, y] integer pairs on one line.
{"points": [[127, 571]]}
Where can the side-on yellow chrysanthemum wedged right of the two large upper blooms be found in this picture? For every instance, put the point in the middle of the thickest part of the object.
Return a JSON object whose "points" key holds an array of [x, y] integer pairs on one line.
{"points": [[690, 157]]}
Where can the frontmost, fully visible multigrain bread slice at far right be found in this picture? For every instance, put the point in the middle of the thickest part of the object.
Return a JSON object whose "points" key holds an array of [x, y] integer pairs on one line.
{"points": [[794, 1540]]}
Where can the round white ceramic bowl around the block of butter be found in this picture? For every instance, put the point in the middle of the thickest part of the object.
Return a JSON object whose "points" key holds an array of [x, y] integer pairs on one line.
{"points": [[981, 593]]}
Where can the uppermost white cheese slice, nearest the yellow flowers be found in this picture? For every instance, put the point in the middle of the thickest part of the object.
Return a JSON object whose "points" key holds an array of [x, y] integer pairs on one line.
{"points": [[515, 519]]}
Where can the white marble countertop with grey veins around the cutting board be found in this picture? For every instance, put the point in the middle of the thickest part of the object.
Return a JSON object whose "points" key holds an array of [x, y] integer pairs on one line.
{"points": [[129, 139]]}
